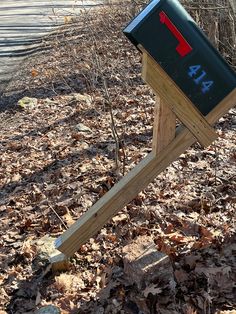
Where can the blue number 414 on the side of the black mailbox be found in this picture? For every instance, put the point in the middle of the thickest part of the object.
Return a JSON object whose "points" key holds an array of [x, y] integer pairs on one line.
{"points": [[196, 72]]}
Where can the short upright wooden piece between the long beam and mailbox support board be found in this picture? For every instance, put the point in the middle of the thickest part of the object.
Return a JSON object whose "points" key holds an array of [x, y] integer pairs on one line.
{"points": [[164, 126]]}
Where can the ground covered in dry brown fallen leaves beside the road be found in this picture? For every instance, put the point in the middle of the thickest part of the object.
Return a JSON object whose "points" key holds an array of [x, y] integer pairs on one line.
{"points": [[58, 158]]}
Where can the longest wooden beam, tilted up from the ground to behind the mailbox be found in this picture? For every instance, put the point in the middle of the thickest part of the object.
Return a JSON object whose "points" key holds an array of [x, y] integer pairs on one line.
{"points": [[135, 181]]}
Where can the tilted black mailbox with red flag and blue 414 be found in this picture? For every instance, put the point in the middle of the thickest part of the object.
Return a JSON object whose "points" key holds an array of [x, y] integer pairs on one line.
{"points": [[173, 39]]}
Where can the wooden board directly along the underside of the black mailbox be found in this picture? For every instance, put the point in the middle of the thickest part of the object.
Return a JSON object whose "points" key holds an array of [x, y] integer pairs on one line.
{"points": [[184, 109]]}
